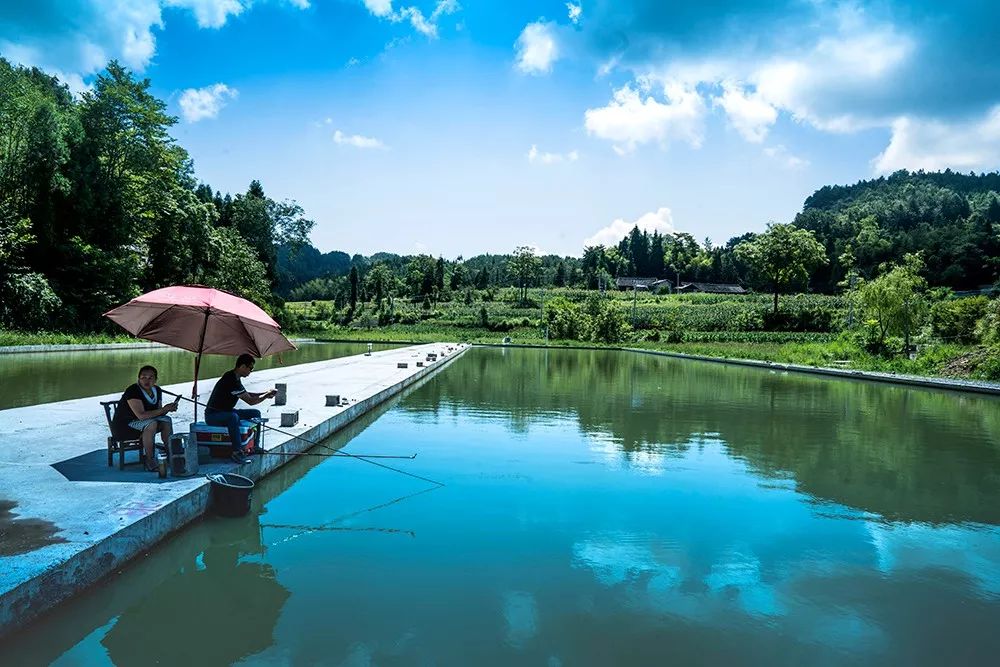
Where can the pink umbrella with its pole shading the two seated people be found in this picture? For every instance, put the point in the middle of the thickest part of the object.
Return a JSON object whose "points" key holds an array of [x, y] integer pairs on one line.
{"points": [[202, 320]]}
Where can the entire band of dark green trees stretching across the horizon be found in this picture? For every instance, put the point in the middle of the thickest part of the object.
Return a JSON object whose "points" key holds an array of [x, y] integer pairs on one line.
{"points": [[98, 203]]}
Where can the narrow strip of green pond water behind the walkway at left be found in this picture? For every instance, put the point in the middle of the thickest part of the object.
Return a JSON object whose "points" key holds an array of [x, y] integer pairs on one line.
{"points": [[43, 377]]}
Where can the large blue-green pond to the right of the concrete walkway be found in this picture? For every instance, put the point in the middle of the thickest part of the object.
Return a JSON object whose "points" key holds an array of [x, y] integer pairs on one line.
{"points": [[600, 508]]}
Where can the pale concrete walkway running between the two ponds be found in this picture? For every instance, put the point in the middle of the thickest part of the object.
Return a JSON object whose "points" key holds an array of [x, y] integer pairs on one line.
{"points": [[67, 519]]}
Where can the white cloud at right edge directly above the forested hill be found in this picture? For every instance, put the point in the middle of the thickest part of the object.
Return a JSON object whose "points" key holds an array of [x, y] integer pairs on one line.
{"points": [[933, 145]]}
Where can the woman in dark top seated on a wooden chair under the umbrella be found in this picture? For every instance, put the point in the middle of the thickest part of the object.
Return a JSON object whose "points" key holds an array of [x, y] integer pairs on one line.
{"points": [[140, 414]]}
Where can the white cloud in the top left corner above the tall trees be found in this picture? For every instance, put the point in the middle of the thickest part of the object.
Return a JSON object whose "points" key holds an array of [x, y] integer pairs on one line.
{"points": [[76, 38]]}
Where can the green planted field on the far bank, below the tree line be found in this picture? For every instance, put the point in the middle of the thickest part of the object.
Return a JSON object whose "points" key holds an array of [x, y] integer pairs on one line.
{"points": [[809, 329]]}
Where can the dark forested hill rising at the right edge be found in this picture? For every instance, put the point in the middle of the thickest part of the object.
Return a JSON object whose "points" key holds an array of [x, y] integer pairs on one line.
{"points": [[951, 218]]}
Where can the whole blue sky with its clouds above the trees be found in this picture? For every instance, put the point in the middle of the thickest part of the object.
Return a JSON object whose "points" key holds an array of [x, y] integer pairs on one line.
{"points": [[458, 128]]}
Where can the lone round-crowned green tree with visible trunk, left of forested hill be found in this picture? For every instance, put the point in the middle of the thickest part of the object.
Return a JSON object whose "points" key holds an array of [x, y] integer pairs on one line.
{"points": [[783, 256]]}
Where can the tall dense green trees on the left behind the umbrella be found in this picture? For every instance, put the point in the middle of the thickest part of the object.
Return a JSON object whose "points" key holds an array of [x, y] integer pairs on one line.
{"points": [[98, 204]]}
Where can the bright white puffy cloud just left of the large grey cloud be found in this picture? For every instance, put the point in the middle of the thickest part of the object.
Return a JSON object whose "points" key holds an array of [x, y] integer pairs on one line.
{"points": [[631, 119]]}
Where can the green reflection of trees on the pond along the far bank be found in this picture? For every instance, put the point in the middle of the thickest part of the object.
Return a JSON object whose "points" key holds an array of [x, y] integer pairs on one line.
{"points": [[903, 453]]}
